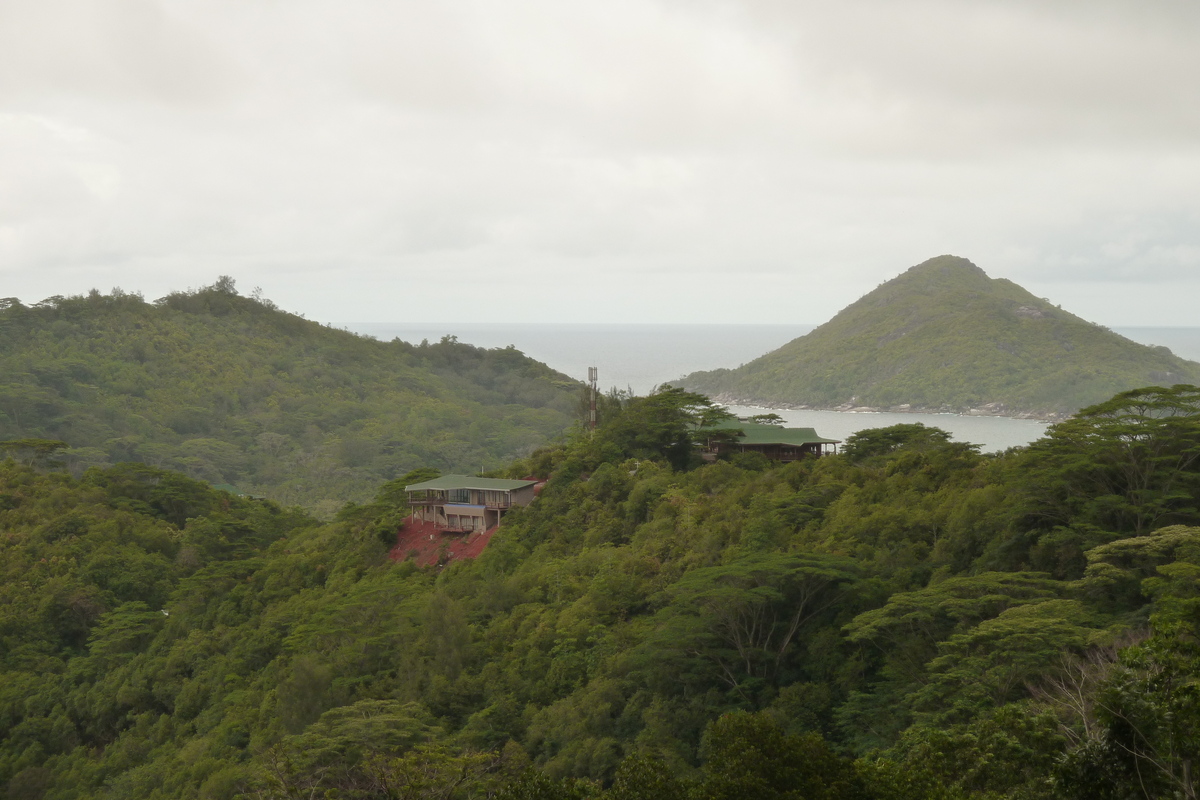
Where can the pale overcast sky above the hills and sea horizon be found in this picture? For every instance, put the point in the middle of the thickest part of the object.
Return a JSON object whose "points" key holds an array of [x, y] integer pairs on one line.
{"points": [[621, 161]]}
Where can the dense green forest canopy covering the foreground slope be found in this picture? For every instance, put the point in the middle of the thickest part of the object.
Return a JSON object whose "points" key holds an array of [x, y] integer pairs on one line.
{"points": [[908, 621]]}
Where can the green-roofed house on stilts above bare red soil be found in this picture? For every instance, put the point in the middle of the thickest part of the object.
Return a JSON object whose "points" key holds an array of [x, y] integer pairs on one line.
{"points": [[465, 504]]}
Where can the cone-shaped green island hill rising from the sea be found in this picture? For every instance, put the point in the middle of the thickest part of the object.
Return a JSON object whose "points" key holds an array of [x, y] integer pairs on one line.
{"points": [[944, 336]]}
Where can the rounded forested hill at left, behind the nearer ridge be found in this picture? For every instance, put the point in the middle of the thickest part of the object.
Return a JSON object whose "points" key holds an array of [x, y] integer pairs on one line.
{"points": [[232, 390]]}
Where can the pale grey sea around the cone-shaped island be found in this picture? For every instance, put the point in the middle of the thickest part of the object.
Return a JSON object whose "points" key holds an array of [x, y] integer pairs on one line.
{"points": [[639, 358]]}
